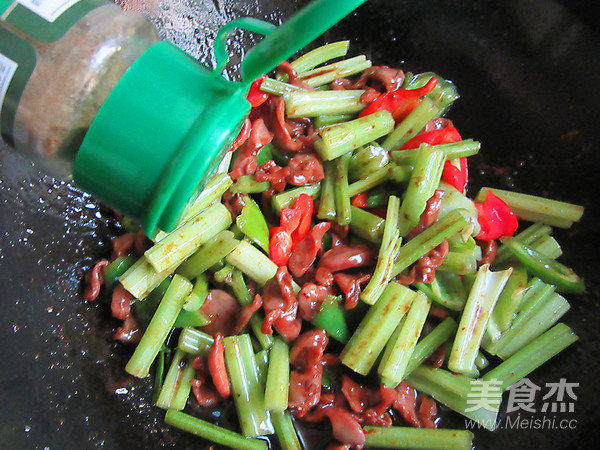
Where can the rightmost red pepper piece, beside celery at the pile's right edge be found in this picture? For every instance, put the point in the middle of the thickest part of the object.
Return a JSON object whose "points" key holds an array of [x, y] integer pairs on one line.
{"points": [[495, 218]]}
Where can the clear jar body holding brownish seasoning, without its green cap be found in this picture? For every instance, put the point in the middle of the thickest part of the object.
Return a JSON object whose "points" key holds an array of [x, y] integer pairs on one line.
{"points": [[59, 60]]}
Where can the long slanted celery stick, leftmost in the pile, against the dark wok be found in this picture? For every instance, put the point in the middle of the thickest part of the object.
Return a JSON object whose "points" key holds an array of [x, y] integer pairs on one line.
{"points": [[157, 331]]}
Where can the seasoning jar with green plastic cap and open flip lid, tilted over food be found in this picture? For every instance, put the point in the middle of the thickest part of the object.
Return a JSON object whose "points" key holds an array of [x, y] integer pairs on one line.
{"points": [[142, 124]]}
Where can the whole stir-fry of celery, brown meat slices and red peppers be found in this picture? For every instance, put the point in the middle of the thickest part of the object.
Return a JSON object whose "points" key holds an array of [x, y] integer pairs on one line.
{"points": [[337, 274]]}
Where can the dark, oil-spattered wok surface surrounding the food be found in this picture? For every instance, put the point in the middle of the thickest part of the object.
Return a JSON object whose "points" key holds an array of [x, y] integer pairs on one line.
{"points": [[528, 75]]}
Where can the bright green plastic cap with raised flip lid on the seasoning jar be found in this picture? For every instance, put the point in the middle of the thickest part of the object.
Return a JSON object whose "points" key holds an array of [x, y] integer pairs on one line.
{"points": [[167, 124]]}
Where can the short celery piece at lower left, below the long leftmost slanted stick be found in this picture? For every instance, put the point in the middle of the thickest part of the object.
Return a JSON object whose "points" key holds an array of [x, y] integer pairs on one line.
{"points": [[176, 388]]}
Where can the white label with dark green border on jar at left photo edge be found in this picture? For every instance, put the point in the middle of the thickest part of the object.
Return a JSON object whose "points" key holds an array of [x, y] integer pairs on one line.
{"points": [[17, 61]]}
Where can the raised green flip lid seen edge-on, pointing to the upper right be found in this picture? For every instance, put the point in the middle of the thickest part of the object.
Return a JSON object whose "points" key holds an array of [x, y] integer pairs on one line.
{"points": [[295, 33]]}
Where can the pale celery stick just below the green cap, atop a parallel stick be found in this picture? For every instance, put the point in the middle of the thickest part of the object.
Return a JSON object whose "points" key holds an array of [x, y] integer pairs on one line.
{"points": [[186, 239]]}
